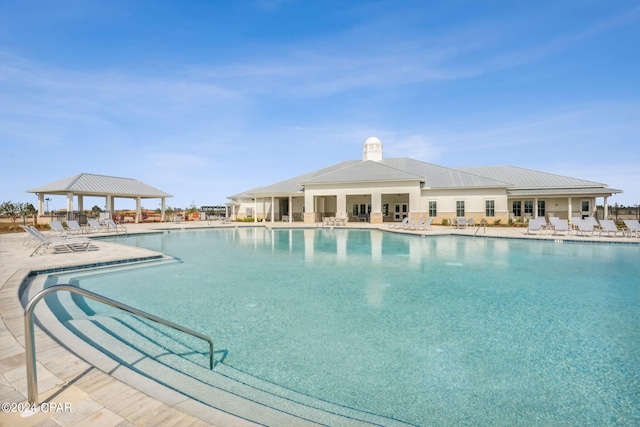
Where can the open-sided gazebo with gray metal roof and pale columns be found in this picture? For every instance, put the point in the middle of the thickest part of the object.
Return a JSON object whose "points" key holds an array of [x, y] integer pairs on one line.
{"points": [[109, 187]]}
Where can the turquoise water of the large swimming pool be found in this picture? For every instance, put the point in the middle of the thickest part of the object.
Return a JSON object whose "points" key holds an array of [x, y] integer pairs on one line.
{"points": [[438, 330]]}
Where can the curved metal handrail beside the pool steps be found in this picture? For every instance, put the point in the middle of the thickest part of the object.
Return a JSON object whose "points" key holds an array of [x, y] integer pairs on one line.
{"points": [[30, 344]]}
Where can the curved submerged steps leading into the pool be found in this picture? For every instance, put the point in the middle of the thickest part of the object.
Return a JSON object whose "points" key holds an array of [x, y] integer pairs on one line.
{"points": [[182, 364]]}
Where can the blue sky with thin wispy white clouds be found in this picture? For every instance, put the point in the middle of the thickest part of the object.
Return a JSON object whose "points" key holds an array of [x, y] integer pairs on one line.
{"points": [[205, 99]]}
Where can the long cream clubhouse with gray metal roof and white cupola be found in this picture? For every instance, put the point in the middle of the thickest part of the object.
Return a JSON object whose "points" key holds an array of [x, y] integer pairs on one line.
{"points": [[379, 190]]}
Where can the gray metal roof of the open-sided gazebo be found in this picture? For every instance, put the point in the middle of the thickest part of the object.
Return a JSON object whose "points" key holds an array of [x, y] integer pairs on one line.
{"points": [[100, 185]]}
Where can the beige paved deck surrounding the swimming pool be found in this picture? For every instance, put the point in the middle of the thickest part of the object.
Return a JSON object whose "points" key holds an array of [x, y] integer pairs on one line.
{"points": [[99, 398]]}
